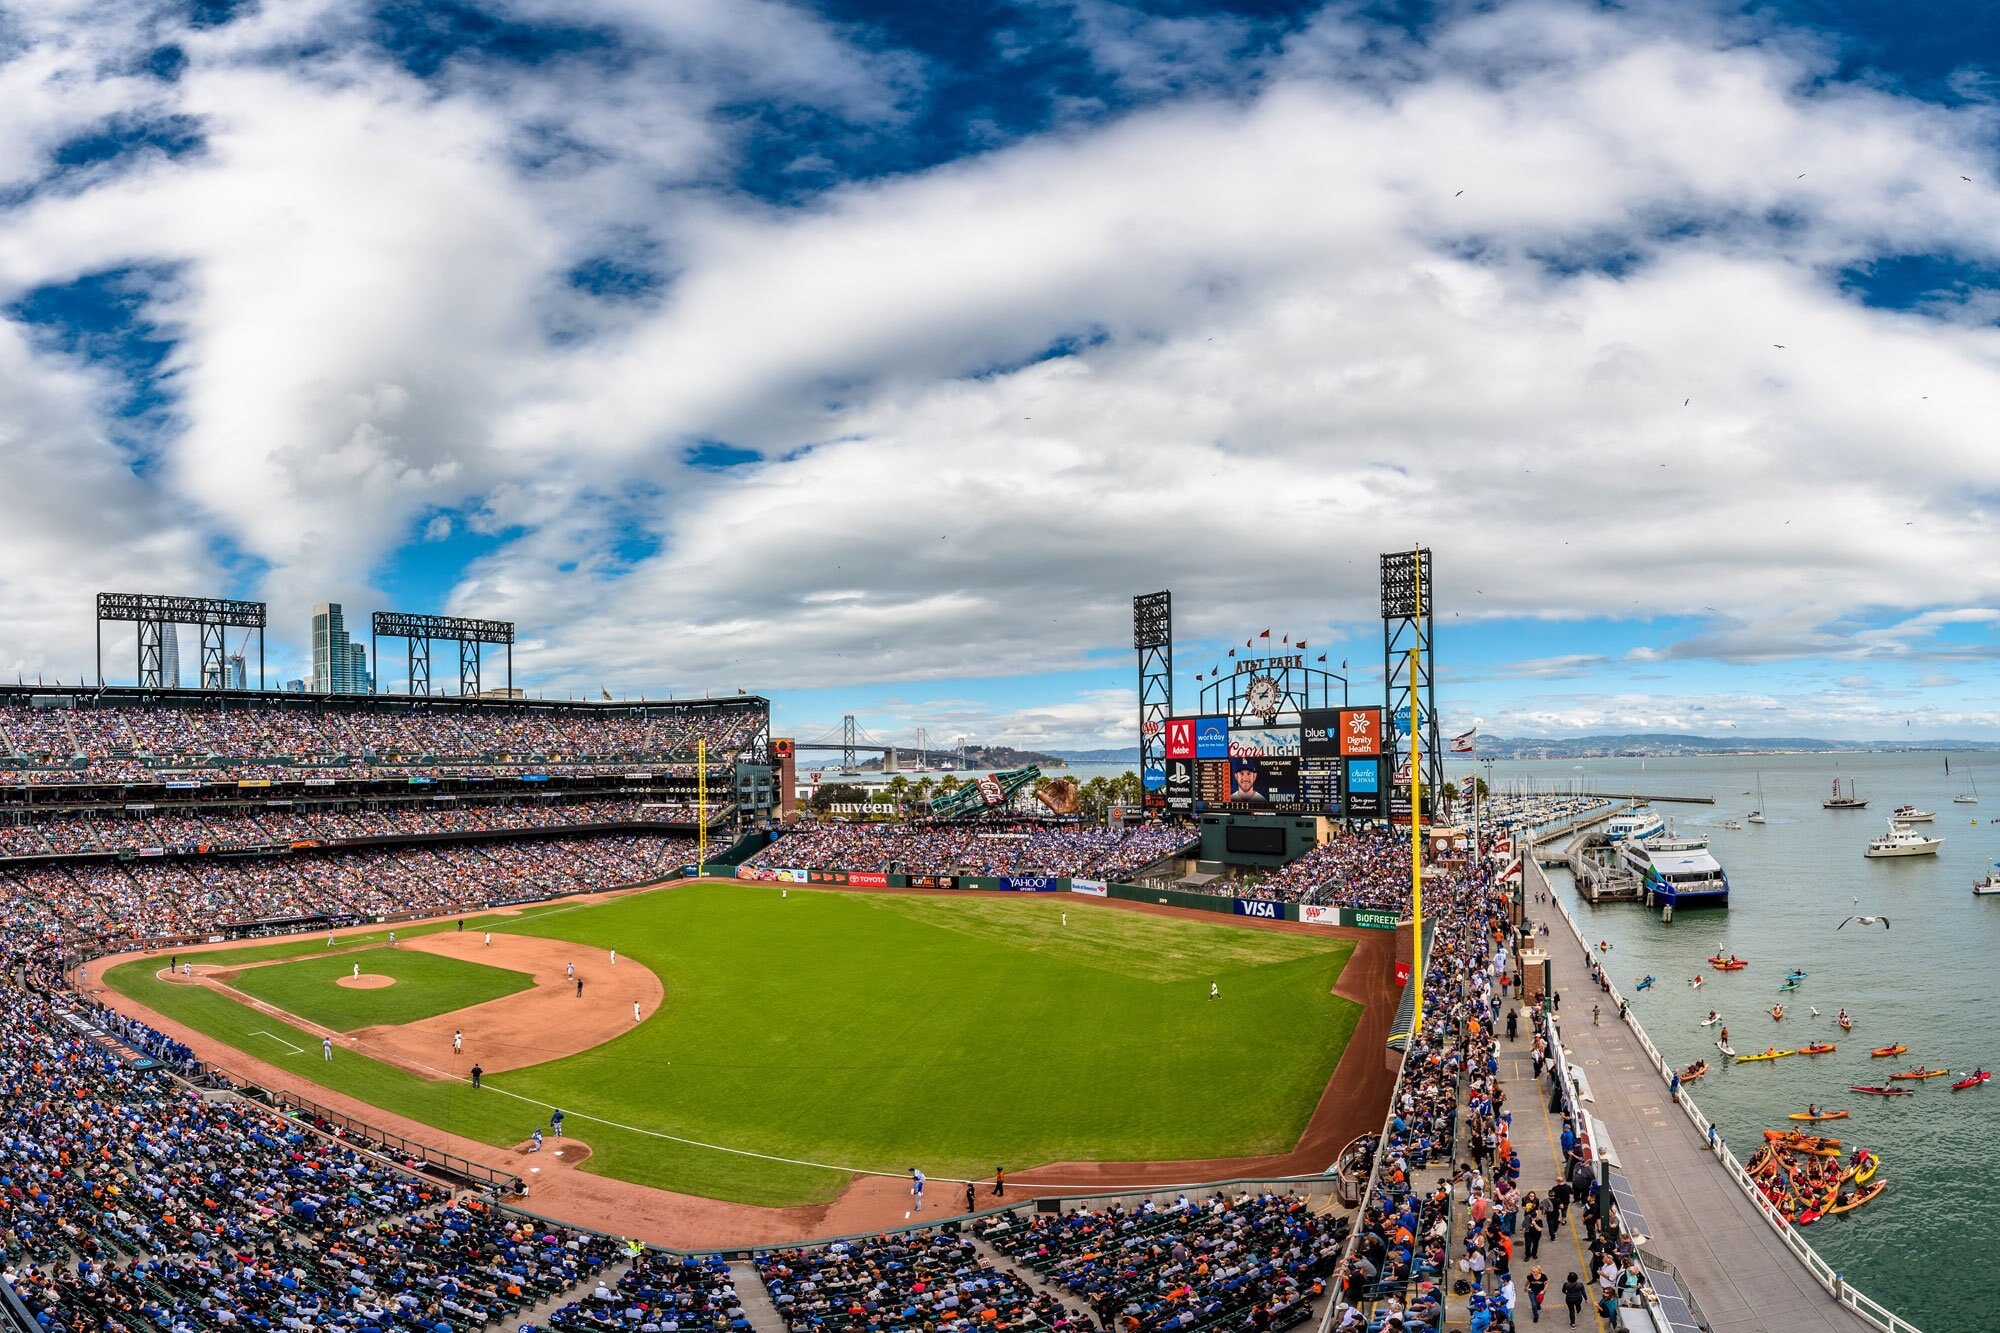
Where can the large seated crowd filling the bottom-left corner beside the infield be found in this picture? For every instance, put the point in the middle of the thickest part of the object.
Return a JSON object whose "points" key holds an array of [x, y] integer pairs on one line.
{"points": [[131, 1204]]}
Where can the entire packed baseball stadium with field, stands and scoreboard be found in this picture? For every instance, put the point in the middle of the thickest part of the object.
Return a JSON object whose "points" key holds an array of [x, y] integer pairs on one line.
{"points": [[453, 1012]]}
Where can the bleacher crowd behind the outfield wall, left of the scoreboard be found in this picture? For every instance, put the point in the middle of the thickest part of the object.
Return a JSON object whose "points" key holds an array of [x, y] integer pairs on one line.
{"points": [[1093, 852]]}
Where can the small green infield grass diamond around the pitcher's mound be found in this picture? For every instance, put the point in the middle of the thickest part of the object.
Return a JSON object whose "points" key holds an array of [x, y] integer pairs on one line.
{"points": [[427, 986]]}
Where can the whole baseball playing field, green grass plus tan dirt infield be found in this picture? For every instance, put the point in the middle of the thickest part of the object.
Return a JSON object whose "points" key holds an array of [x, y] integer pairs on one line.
{"points": [[785, 1042]]}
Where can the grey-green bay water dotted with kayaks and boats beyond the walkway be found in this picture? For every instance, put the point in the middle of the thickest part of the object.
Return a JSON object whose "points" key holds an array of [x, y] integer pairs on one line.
{"points": [[1795, 880]]}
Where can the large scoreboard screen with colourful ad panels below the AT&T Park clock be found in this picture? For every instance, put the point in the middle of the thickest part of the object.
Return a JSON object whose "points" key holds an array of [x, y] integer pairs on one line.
{"points": [[1219, 764]]}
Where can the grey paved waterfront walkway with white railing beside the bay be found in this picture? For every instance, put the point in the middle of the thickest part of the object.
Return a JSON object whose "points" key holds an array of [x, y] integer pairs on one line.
{"points": [[1697, 1218]]}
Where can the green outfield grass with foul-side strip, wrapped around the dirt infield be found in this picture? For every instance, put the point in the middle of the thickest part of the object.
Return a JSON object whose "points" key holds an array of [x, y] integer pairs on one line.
{"points": [[881, 1032]]}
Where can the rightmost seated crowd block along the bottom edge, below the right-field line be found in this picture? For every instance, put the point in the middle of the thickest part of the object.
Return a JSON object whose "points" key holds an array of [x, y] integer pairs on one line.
{"points": [[1233, 1262]]}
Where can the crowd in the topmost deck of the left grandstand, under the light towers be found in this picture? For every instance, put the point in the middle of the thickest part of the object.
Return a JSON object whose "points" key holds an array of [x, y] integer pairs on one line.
{"points": [[125, 742]]}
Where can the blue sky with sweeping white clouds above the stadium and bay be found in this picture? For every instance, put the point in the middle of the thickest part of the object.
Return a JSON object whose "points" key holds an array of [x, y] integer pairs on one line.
{"points": [[873, 355]]}
